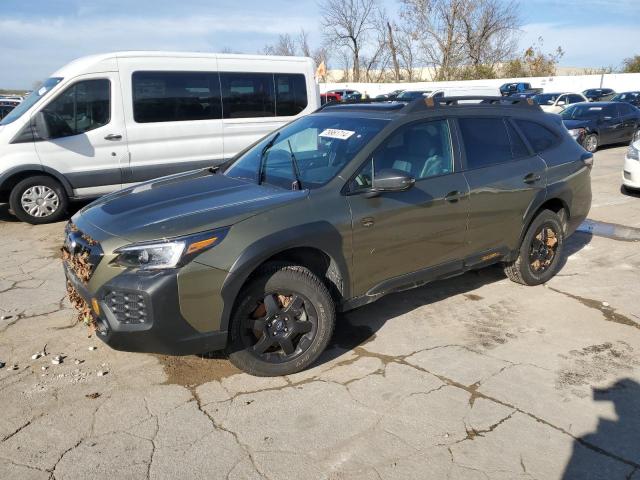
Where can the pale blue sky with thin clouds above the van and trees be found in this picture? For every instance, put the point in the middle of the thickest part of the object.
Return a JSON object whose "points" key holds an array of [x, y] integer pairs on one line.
{"points": [[39, 36]]}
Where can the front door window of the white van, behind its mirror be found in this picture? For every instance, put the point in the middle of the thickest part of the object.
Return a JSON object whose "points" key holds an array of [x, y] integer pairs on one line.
{"points": [[82, 107]]}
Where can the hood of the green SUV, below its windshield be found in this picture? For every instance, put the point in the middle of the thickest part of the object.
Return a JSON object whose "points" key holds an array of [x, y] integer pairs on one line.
{"points": [[179, 205]]}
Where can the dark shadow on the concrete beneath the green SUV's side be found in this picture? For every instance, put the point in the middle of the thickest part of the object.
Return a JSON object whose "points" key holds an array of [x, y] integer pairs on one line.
{"points": [[352, 331]]}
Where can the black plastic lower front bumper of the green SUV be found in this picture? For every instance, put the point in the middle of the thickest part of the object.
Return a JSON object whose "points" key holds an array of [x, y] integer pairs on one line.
{"points": [[158, 327]]}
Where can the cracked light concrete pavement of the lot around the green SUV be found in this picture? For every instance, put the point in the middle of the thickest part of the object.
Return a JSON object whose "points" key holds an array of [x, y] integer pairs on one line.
{"points": [[472, 377]]}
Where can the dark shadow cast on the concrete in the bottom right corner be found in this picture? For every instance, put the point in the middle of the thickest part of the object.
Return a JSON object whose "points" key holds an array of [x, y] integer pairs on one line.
{"points": [[619, 438]]}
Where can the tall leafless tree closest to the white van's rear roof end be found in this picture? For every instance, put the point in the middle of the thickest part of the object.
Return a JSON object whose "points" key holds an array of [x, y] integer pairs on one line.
{"points": [[347, 25]]}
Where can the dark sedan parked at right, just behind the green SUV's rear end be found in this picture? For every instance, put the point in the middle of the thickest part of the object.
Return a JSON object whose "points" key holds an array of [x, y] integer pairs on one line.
{"points": [[601, 123]]}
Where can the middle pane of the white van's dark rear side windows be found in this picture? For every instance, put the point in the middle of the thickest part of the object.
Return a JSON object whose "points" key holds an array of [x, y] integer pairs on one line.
{"points": [[247, 95]]}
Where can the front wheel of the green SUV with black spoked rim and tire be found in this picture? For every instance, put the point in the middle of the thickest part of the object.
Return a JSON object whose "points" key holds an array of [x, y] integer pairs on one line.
{"points": [[282, 322]]}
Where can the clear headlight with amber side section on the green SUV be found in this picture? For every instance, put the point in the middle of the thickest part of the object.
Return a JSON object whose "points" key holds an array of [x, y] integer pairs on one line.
{"points": [[169, 253]]}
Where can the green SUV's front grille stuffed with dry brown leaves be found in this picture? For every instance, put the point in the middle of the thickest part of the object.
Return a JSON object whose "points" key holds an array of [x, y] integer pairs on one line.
{"points": [[81, 253]]}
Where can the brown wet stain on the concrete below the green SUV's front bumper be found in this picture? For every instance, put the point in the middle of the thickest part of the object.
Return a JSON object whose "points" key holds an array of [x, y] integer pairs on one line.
{"points": [[194, 370]]}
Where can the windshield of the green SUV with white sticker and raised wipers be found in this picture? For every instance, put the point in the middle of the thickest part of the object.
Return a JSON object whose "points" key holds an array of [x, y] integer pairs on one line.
{"points": [[316, 147]]}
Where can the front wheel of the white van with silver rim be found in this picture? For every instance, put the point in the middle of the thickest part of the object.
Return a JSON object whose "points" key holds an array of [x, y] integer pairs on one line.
{"points": [[37, 200]]}
